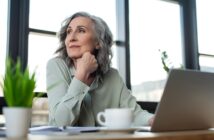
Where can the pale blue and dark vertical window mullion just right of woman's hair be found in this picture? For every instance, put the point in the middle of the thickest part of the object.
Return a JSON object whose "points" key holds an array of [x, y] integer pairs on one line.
{"points": [[123, 40]]}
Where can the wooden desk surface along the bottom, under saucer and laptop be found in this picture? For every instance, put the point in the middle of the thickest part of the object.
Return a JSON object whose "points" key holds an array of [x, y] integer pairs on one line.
{"points": [[185, 135]]}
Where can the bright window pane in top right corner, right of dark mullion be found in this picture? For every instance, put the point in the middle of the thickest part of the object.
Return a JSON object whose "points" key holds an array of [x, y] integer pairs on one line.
{"points": [[205, 22]]}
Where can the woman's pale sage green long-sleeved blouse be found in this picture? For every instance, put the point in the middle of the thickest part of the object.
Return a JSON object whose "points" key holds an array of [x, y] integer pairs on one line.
{"points": [[73, 103]]}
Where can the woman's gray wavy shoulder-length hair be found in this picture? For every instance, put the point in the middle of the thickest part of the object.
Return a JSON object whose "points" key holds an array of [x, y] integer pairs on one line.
{"points": [[102, 34]]}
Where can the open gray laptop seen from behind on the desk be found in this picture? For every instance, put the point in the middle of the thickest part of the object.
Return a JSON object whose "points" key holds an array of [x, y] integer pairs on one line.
{"points": [[187, 102]]}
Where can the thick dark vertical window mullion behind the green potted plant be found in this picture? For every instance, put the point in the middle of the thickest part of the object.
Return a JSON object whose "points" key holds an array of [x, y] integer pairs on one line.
{"points": [[18, 22]]}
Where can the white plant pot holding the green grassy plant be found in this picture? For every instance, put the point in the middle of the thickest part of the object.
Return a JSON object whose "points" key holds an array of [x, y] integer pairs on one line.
{"points": [[18, 120]]}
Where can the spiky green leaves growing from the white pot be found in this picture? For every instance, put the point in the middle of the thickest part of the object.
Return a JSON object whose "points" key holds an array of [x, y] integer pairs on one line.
{"points": [[18, 85]]}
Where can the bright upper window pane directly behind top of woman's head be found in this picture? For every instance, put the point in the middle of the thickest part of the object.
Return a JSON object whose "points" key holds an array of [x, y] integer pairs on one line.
{"points": [[60, 9]]}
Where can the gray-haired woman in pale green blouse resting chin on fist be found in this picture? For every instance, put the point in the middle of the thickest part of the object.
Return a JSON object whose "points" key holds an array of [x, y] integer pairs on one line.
{"points": [[82, 81]]}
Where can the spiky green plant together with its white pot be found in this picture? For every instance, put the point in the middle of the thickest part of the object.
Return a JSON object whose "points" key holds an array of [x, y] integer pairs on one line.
{"points": [[18, 87]]}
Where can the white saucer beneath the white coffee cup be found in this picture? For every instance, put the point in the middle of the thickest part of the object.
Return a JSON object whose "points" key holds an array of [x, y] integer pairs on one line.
{"points": [[120, 130]]}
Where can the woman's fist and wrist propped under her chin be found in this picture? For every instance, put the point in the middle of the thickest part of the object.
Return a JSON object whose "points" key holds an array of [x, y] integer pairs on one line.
{"points": [[86, 65]]}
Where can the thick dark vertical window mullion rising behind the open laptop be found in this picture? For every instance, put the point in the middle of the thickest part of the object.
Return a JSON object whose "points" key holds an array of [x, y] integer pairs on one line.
{"points": [[190, 38]]}
